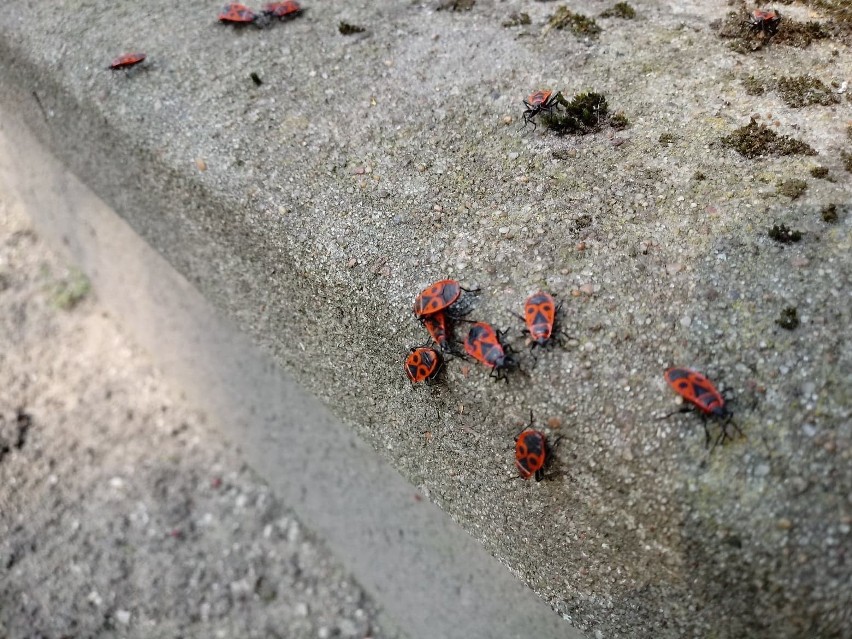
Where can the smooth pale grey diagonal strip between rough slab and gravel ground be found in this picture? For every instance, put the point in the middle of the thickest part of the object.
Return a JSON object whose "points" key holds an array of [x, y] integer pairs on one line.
{"points": [[429, 575]]}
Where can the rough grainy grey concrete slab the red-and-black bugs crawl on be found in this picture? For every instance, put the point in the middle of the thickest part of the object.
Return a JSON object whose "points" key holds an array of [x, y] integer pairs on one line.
{"points": [[314, 207]]}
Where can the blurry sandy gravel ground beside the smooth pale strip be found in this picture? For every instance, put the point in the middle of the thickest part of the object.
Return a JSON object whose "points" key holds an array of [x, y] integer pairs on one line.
{"points": [[121, 513]]}
